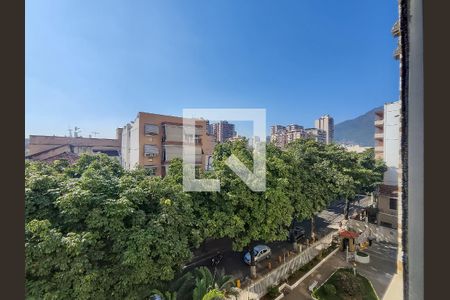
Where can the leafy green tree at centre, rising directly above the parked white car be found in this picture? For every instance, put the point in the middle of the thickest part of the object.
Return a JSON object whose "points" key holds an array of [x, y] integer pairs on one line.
{"points": [[243, 215]]}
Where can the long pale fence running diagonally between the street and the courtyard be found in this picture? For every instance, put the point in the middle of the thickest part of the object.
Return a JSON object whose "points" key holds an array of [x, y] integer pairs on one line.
{"points": [[285, 270]]}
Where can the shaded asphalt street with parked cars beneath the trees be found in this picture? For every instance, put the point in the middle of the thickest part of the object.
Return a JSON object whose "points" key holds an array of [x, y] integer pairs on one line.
{"points": [[232, 262]]}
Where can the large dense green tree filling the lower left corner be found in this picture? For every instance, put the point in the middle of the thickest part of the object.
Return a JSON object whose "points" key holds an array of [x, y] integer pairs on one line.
{"points": [[94, 230]]}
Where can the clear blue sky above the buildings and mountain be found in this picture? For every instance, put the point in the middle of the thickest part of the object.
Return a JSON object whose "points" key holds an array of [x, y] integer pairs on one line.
{"points": [[95, 64]]}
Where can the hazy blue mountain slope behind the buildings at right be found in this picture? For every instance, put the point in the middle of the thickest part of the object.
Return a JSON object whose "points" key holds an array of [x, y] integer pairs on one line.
{"points": [[358, 131]]}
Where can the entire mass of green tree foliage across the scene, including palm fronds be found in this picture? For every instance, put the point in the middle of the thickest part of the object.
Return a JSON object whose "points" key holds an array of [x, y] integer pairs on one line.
{"points": [[94, 230]]}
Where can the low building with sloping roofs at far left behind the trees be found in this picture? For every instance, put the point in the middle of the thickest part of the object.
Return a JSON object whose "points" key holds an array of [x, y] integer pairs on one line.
{"points": [[51, 148]]}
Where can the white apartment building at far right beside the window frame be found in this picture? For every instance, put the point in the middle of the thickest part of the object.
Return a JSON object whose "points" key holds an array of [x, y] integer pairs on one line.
{"points": [[388, 147]]}
